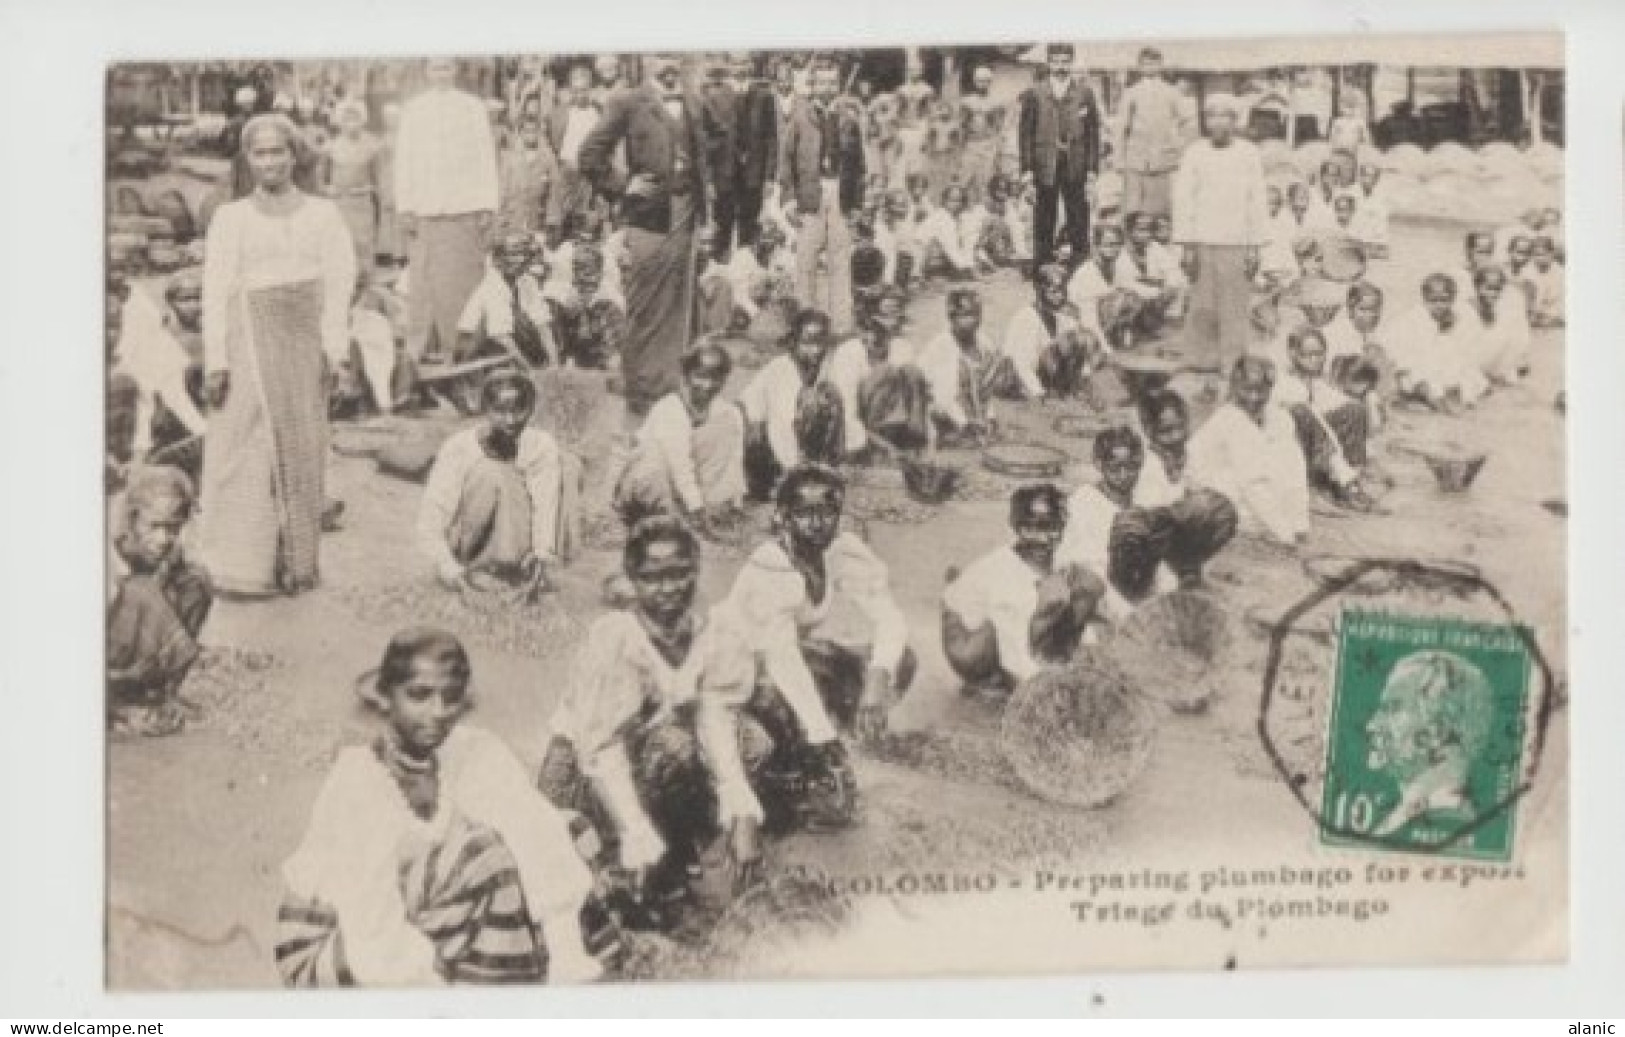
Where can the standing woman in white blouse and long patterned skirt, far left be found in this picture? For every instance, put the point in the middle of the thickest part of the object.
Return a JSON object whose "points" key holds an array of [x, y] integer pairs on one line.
{"points": [[277, 284]]}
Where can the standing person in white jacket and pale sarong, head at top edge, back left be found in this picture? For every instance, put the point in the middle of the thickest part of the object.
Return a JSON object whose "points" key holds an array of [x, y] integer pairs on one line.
{"points": [[446, 193]]}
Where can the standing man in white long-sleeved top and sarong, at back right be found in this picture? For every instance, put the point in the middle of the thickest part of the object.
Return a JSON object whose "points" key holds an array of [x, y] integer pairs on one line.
{"points": [[1220, 219]]}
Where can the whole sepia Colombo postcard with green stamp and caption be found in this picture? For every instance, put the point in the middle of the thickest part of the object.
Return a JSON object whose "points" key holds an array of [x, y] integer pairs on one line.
{"points": [[899, 511]]}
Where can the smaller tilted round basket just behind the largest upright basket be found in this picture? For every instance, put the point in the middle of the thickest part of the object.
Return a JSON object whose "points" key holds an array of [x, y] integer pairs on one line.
{"points": [[1174, 649]]}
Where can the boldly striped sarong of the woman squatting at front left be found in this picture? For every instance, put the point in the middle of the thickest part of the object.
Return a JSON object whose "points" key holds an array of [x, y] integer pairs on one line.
{"points": [[464, 893]]}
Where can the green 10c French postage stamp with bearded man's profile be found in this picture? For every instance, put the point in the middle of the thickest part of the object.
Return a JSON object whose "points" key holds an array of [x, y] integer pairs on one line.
{"points": [[1428, 735]]}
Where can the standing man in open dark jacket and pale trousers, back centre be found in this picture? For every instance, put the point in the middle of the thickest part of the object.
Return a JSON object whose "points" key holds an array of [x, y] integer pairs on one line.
{"points": [[821, 173]]}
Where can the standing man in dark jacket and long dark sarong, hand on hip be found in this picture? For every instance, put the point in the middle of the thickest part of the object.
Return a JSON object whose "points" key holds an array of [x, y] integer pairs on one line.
{"points": [[662, 207]]}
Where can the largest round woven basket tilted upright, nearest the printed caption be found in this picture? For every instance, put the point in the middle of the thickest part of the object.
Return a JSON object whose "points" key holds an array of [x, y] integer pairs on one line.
{"points": [[1078, 735]]}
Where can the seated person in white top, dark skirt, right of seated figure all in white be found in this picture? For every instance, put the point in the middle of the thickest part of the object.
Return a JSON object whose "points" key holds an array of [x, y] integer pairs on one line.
{"points": [[1332, 427]]}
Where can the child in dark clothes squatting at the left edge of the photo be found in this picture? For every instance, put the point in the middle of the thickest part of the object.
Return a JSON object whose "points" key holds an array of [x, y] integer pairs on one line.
{"points": [[157, 604]]}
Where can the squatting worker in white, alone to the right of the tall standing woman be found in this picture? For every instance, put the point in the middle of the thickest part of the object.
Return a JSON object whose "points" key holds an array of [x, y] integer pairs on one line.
{"points": [[501, 498]]}
